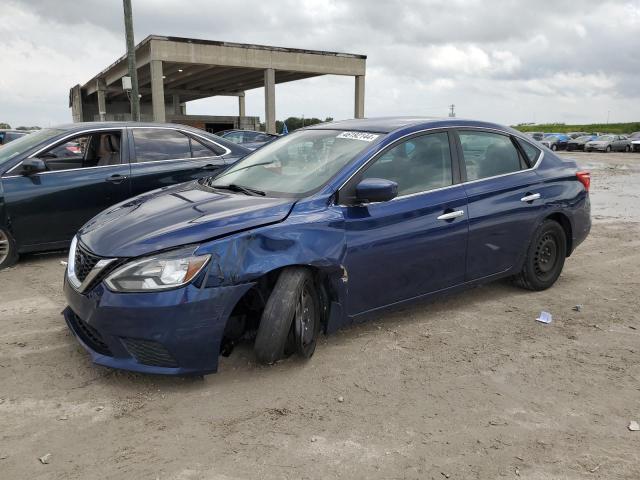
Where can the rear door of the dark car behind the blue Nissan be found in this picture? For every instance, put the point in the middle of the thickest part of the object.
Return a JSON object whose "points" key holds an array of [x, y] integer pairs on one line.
{"points": [[166, 156]]}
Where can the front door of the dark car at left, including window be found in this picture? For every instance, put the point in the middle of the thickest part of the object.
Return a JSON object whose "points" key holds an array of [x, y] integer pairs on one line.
{"points": [[85, 174]]}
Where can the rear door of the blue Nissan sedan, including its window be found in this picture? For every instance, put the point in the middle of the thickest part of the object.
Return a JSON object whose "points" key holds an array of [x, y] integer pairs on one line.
{"points": [[504, 198]]}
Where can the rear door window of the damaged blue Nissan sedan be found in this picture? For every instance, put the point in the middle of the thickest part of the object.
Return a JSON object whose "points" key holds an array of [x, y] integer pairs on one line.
{"points": [[488, 154]]}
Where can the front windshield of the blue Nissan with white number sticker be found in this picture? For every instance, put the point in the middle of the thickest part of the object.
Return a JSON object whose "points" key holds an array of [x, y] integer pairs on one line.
{"points": [[296, 164]]}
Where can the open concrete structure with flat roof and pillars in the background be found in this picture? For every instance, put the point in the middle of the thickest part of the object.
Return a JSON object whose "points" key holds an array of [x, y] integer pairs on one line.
{"points": [[173, 71]]}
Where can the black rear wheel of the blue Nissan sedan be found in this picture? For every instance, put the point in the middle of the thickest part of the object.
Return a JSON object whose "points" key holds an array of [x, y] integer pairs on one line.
{"points": [[545, 257]]}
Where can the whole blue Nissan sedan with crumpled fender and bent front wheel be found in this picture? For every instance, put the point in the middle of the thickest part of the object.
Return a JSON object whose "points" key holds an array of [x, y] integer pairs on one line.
{"points": [[317, 230]]}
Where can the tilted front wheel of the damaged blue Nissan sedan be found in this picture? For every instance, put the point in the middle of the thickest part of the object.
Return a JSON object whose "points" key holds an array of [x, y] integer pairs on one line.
{"points": [[292, 314]]}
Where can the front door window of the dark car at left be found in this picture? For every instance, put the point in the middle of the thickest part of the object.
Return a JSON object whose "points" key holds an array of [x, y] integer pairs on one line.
{"points": [[100, 149]]}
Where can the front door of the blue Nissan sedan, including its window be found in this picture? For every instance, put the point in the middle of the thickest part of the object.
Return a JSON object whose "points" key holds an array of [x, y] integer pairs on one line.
{"points": [[416, 243]]}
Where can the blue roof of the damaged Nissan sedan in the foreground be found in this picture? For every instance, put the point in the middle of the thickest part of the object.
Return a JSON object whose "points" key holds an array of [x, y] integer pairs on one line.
{"points": [[391, 124]]}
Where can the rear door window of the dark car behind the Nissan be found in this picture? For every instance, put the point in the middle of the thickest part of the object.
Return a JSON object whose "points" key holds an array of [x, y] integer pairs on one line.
{"points": [[154, 144]]}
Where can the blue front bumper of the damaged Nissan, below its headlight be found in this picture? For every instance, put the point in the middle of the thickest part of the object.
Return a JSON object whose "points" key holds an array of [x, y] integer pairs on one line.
{"points": [[174, 332]]}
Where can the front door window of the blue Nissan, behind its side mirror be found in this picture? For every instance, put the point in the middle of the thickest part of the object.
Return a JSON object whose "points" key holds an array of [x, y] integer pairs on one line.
{"points": [[416, 165]]}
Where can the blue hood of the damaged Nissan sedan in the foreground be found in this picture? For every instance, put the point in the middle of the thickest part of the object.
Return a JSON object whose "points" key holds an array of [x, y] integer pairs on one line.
{"points": [[174, 216]]}
